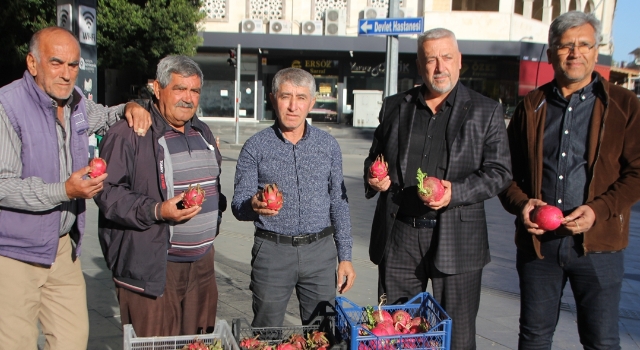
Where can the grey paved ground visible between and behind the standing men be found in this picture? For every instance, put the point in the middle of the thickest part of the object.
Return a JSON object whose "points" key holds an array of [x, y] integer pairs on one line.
{"points": [[497, 322]]}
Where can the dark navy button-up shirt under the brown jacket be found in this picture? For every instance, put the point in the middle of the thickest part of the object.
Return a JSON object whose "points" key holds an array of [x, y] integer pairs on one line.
{"points": [[564, 172]]}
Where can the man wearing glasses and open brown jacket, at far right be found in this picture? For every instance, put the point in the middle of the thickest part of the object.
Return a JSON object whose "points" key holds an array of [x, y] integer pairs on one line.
{"points": [[574, 144]]}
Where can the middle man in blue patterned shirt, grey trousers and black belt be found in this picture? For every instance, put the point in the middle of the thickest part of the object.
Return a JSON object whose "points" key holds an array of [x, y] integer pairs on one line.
{"points": [[290, 247]]}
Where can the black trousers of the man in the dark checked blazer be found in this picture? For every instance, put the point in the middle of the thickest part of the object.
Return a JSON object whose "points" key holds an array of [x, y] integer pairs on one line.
{"points": [[406, 270]]}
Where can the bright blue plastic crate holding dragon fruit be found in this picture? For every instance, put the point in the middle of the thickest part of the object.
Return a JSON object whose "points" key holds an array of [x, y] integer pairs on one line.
{"points": [[350, 317]]}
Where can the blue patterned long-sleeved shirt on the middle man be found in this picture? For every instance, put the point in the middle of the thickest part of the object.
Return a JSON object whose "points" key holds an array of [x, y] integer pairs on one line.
{"points": [[309, 175]]}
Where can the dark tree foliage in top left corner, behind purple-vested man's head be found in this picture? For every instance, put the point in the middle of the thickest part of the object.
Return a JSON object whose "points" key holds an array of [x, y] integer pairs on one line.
{"points": [[19, 19]]}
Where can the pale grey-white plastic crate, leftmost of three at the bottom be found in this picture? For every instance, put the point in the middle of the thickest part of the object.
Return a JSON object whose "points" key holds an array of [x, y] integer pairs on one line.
{"points": [[221, 331]]}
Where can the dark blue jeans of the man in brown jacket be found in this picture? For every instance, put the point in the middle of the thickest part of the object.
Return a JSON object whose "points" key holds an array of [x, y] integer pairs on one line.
{"points": [[596, 281]]}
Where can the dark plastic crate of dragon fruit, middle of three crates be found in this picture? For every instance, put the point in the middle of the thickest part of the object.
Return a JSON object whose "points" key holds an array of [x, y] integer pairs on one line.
{"points": [[276, 335]]}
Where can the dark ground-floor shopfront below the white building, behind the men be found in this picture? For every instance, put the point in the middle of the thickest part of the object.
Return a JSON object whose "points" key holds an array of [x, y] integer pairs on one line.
{"points": [[504, 71]]}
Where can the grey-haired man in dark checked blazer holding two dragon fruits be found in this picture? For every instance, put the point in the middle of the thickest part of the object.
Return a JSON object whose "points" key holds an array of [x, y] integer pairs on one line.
{"points": [[456, 135]]}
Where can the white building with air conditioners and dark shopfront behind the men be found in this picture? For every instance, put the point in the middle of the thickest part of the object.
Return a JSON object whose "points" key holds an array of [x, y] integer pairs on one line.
{"points": [[503, 43]]}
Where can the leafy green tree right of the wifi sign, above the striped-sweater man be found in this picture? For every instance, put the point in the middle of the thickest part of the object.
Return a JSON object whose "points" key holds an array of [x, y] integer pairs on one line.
{"points": [[135, 35]]}
